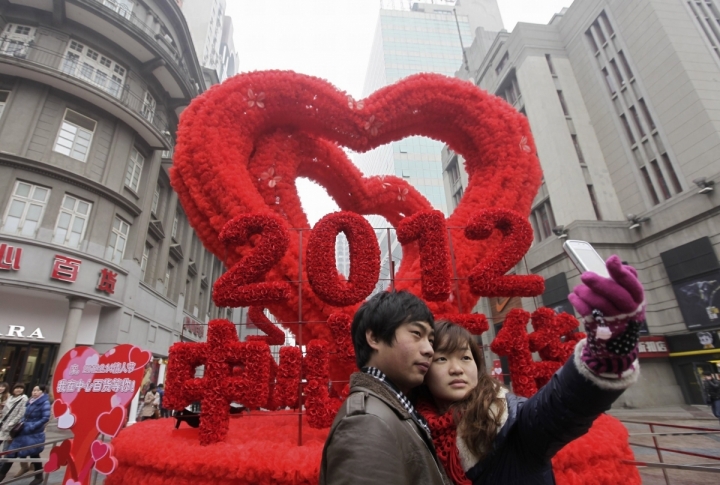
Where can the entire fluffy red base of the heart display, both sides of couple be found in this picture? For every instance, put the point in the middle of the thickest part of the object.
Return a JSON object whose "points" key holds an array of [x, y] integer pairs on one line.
{"points": [[261, 449]]}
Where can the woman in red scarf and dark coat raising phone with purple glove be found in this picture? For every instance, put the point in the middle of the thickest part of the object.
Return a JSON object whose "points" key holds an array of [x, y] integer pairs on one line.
{"points": [[485, 435]]}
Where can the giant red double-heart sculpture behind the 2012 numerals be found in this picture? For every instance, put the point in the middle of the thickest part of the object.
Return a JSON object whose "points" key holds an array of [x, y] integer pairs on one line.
{"points": [[243, 143]]}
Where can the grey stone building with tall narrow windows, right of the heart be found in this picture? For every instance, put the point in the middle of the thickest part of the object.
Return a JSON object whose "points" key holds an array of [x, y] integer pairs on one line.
{"points": [[622, 98]]}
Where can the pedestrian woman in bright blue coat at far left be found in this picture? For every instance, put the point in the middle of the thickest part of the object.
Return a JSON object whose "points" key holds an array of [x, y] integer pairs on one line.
{"points": [[37, 415]]}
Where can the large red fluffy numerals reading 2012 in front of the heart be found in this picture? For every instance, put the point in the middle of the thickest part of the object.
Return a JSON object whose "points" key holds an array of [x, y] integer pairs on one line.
{"points": [[242, 285]]}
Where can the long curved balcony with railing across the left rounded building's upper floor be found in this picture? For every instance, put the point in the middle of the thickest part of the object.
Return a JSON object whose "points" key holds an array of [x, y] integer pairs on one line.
{"points": [[66, 73]]}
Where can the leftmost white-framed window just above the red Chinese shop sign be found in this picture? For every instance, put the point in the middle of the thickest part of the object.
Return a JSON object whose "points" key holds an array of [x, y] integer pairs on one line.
{"points": [[25, 209]]}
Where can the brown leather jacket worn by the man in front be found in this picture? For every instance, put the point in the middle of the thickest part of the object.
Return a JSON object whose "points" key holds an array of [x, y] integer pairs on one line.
{"points": [[374, 440]]}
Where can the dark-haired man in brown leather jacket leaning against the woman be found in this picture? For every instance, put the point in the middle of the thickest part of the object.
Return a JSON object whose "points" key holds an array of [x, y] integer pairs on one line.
{"points": [[377, 436]]}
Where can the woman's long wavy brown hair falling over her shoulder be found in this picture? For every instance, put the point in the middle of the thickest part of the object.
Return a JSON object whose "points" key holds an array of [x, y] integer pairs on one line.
{"points": [[478, 415]]}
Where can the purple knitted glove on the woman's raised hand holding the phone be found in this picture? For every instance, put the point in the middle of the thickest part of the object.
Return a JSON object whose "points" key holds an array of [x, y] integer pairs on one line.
{"points": [[612, 309]]}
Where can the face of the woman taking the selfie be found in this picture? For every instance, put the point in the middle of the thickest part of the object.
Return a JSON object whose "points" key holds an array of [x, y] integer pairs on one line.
{"points": [[452, 376]]}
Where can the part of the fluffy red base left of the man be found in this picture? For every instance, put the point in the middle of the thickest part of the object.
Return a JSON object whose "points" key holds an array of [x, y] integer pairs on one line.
{"points": [[261, 448]]}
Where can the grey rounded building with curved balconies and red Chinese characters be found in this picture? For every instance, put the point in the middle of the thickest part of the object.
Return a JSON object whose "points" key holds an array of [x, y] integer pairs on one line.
{"points": [[94, 247]]}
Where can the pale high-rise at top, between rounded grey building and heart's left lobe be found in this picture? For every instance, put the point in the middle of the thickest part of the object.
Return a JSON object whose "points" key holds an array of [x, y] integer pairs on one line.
{"points": [[212, 36]]}
